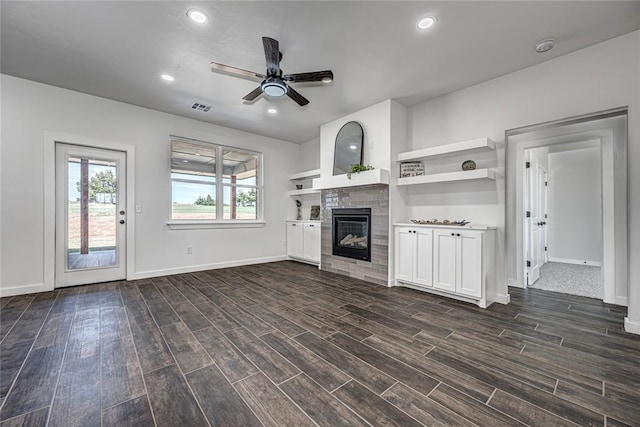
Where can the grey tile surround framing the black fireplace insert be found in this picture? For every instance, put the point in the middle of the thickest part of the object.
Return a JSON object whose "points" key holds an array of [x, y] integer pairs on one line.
{"points": [[375, 197]]}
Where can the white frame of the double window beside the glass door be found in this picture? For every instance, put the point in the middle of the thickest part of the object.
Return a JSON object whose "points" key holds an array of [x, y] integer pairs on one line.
{"points": [[220, 186]]}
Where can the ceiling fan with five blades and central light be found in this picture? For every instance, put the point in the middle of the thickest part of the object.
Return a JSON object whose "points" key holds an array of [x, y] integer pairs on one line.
{"points": [[274, 83]]}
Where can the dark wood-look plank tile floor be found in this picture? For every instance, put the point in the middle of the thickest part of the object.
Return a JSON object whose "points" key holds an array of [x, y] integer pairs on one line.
{"points": [[286, 344]]}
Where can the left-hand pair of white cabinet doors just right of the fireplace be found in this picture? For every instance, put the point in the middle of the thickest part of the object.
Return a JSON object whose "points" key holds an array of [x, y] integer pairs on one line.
{"points": [[414, 255]]}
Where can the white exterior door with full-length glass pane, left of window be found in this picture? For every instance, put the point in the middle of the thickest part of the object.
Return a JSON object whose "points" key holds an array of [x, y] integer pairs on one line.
{"points": [[90, 215]]}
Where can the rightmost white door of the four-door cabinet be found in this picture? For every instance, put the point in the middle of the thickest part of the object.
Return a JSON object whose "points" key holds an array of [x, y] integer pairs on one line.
{"points": [[469, 263]]}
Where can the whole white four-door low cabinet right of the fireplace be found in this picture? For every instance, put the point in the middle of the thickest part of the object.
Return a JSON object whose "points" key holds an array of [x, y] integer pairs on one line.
{"points": [[451, 261]]}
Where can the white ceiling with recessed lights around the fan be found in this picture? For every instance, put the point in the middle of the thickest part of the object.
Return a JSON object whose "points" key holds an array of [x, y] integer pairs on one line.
{"points": [[118, 49]]}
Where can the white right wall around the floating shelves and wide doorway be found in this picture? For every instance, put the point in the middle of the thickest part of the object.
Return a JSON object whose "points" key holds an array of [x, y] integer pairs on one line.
{"points": [[600, 77]]}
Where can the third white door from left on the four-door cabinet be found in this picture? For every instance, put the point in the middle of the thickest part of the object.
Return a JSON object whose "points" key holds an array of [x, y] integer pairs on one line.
{"points": [[444, 260]]}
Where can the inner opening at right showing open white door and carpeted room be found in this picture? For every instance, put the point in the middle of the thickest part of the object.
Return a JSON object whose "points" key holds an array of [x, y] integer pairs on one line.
{"points": [[562, 197]]}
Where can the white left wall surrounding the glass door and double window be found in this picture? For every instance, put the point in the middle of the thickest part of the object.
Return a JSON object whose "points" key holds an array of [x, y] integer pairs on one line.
{"points": [[30, 109]]}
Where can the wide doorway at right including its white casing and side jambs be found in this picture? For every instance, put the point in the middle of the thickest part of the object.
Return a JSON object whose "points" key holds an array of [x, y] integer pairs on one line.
{"points": [[591, 149]]}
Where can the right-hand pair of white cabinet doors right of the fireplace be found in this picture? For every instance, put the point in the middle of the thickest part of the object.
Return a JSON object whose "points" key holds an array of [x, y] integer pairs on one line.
{"points": [[457, 261]]}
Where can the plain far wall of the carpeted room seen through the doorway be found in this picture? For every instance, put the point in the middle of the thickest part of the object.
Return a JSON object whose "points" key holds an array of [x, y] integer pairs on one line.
{"points": [[575, 206]]}
